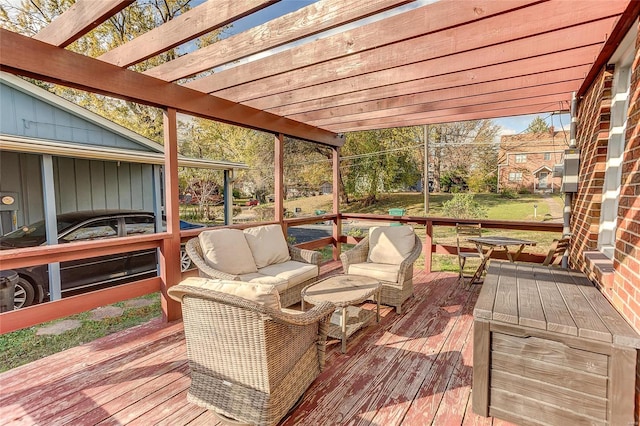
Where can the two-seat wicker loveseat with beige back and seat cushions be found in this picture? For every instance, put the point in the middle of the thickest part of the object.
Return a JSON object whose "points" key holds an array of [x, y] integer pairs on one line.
{"points": [[259, 254]]}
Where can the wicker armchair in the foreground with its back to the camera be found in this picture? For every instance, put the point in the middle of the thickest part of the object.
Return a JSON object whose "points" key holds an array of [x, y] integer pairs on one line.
{"points": [[250, 360]]}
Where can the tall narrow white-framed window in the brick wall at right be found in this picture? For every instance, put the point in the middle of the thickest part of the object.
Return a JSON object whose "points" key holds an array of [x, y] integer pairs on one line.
{"points": [[622, 60]]}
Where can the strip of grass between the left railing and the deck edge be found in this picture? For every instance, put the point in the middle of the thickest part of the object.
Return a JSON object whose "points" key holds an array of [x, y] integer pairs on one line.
{"points": [[24, 346]]}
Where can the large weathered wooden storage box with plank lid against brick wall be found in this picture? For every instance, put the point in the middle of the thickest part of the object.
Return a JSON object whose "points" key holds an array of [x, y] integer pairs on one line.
{"points": [[549, 348]]}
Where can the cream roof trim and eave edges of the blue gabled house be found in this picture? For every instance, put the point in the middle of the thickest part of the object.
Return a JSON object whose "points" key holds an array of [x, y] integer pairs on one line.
{"points": [[154, 154]]}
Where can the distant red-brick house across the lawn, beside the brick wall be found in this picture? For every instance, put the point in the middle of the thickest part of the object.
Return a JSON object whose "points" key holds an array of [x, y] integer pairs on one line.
{"points": [[526, 161]]}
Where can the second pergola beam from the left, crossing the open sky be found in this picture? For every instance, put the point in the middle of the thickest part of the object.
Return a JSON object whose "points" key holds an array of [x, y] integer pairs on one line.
{"points": [[200, 20]]}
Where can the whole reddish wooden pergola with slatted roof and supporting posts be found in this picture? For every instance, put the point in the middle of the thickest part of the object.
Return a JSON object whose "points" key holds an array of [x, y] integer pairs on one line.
{"points": [[329, 72]]}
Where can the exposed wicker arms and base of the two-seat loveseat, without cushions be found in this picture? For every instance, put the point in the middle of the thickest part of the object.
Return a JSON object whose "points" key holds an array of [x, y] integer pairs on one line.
{"points": [[288, 297]]}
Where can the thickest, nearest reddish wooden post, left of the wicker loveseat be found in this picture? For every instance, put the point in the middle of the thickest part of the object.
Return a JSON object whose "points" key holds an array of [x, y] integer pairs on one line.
{"points": [[170, 248]]}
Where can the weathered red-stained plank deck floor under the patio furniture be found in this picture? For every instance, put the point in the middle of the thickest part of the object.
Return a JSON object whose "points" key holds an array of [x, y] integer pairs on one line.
{"points": [[412, 369]]}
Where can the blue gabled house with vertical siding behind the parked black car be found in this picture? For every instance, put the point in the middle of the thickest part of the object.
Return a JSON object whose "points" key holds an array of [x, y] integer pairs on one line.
{"points": [[89, 162]]}
